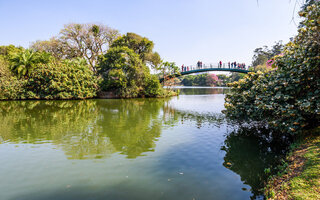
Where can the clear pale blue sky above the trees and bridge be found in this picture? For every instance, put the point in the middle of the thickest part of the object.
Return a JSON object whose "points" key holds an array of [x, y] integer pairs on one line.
{"points": [[184, 31]]}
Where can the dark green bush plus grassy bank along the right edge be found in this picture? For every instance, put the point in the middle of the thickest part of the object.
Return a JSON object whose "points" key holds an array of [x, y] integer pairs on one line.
{"points": [[286, 99]]}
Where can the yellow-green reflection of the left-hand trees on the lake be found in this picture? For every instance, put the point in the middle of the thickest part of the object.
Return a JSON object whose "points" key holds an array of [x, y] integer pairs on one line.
{"points": [[84, 129]]}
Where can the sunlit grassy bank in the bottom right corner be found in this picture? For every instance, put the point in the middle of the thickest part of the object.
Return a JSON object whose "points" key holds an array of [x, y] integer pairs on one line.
{"points": [[300, 174]]}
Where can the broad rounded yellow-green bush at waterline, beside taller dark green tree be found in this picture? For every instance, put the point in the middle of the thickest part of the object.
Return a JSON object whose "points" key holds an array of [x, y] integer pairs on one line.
{"points": [[69, 79]]}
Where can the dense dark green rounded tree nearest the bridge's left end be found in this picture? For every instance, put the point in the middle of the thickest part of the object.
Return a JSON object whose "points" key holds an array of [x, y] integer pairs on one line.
{"points": [[126, 75]]}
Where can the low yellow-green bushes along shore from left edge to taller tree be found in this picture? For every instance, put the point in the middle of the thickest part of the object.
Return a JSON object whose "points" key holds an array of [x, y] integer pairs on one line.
{"points": [[70, 79]]}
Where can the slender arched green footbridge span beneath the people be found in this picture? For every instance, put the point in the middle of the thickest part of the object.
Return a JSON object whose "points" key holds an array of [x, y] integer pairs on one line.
{"points": [[193, 71]]}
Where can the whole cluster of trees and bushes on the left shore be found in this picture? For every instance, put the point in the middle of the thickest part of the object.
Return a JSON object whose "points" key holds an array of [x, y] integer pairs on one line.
{"points": [[83, 61]]}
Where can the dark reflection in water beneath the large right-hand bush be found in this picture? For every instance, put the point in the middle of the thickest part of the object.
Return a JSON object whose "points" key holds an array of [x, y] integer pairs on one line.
{"points": [[250, 150]]}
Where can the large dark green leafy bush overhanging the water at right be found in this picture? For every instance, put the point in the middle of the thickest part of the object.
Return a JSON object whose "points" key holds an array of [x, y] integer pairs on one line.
{"points": [[287, 98]]}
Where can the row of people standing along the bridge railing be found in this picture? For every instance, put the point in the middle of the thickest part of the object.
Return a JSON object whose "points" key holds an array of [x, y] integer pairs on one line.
{"points": [[200, 65]]}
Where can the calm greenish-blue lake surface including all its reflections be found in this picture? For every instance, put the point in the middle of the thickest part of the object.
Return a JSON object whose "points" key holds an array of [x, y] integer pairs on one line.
{"points": [[139, 149]]}
